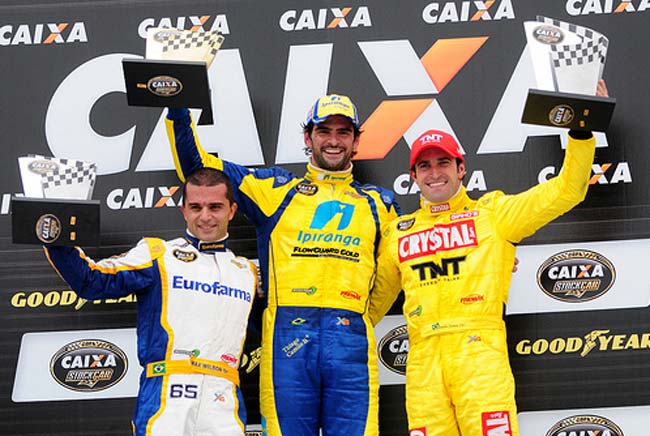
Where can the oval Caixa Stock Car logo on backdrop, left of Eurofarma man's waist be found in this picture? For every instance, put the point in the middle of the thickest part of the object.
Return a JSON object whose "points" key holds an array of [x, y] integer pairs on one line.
{"points": [[89, 365]]}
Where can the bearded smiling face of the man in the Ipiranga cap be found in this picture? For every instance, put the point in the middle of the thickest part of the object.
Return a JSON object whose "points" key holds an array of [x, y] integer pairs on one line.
{"points": [[332, 143]]}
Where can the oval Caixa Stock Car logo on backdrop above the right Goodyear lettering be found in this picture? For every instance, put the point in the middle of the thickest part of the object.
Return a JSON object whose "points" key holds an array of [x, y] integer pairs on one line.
{"points": [[576, 275]]}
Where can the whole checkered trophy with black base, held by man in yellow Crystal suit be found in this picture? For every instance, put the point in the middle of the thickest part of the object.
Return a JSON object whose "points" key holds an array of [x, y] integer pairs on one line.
{"points": [[568, 61]]}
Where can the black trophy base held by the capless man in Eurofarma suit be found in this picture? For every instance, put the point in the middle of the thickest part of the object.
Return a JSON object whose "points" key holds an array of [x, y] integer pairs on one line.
{"points": [[41, 221]]}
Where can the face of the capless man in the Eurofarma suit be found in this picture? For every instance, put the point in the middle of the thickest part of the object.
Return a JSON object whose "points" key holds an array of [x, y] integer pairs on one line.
{"points": [[207, 211]]}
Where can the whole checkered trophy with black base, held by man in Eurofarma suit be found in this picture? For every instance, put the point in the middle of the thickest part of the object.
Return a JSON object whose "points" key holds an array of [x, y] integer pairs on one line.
{"points": [[56, 207]]}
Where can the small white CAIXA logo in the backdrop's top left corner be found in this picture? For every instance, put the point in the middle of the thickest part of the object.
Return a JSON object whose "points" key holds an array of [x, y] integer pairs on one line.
{"points": [[37, 34]]}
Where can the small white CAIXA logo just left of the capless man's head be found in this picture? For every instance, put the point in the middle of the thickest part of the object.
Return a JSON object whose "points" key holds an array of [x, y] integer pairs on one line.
{"points": [[143, 198]]}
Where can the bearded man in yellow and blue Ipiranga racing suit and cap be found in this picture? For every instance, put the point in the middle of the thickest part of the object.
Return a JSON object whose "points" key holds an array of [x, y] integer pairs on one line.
{"points": [[317, 235]]}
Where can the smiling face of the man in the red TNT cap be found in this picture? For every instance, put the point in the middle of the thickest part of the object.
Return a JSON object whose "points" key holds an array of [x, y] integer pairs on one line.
{"points": [[438, 175]]}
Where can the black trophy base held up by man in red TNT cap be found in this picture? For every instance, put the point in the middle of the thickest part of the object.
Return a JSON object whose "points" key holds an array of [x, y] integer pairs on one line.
{"points": [[571, 111]]}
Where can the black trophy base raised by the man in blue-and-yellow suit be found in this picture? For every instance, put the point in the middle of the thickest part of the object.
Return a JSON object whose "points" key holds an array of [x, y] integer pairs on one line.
{"points": [[177, 84]]}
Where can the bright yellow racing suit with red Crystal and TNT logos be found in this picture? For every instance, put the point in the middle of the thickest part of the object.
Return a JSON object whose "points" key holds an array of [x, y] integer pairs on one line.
{"points": [[455, 262]]}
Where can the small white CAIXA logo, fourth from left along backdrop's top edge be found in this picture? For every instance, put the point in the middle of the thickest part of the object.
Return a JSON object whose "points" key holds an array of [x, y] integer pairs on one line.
{"points": [[454, 12]]}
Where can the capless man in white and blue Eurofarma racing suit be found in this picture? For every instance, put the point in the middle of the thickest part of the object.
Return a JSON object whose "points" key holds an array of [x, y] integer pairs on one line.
{"points": [[194, 298]]}
